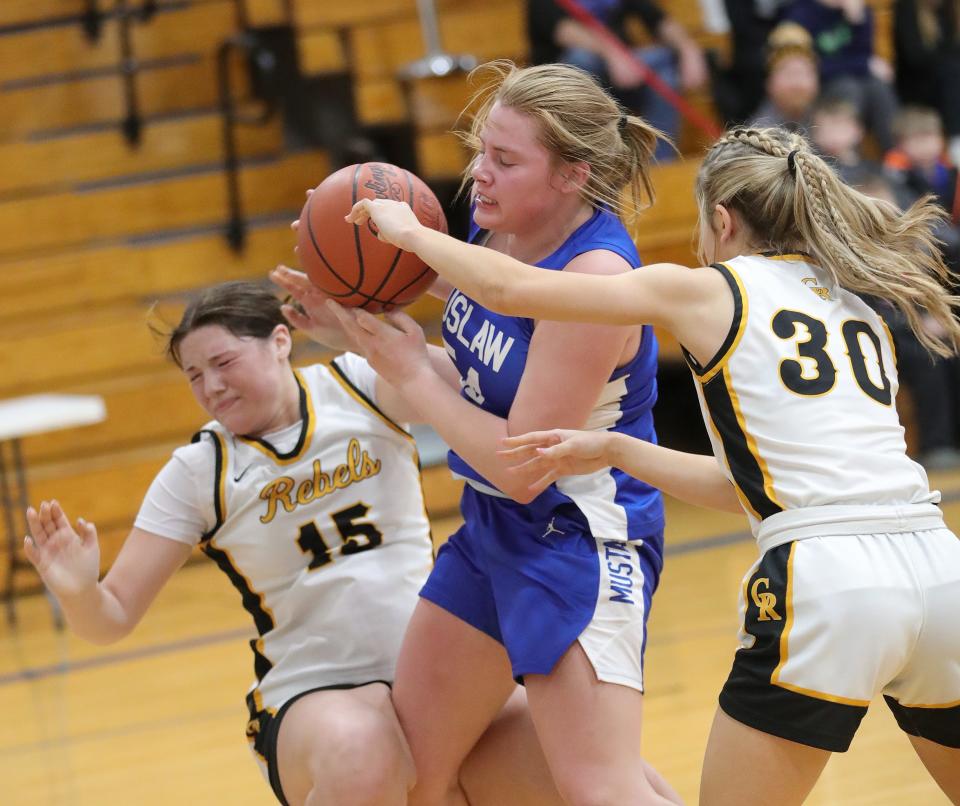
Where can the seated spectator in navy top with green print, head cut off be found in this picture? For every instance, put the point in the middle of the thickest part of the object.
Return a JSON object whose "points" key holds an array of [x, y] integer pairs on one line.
{"points": [[842, 33]]}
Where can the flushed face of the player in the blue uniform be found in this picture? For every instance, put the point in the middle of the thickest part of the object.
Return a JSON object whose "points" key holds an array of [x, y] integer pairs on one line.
{"points": [[513, 174]]}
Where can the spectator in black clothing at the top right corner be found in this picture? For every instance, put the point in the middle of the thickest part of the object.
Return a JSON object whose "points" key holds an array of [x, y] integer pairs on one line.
{"points": [[926, 38]]}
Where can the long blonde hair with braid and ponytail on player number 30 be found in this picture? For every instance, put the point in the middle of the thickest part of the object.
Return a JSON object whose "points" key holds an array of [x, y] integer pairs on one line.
{"points": [[868, 245]]}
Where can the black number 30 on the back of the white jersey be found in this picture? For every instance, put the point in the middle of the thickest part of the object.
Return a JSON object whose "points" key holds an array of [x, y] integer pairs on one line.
{"points": [[798, 376]]}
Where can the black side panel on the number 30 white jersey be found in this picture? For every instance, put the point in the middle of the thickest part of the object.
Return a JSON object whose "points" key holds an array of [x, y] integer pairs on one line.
{"points": [[744, 464]]}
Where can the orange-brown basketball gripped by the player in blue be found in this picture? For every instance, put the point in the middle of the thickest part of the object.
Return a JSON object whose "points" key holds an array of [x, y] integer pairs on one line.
{"points": [[348, 262]]}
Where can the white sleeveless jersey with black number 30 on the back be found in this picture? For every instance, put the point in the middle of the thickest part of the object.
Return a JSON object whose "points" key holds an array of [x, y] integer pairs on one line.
{"points": [[800, 404]]}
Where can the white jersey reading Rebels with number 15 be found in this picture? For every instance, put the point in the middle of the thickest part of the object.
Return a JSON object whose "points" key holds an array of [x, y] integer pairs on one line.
{"points": [[328, 544]]}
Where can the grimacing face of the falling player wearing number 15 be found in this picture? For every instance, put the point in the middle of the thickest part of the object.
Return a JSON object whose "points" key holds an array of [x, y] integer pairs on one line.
{"points": [[242, 381]]}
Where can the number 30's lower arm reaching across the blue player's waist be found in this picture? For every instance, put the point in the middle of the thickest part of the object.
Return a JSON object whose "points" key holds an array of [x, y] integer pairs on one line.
{"points": [[549, 455]]}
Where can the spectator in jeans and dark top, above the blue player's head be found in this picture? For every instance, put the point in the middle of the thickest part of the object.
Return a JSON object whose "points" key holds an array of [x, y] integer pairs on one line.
{"points": [[676, 58]]}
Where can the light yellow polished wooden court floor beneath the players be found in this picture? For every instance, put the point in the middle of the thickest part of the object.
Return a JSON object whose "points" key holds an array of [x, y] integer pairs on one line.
{"points": [[159, 718]]}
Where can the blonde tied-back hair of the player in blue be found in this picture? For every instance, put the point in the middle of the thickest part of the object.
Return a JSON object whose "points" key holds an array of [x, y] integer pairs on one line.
{"points": [[577, 121]]}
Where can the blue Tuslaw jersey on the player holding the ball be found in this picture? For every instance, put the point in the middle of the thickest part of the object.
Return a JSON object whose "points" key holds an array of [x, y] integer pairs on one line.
{"points": [[490, 352]]}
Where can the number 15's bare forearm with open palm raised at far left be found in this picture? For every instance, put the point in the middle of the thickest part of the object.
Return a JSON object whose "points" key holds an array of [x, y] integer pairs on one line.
{"points": [[68, 561]]}
